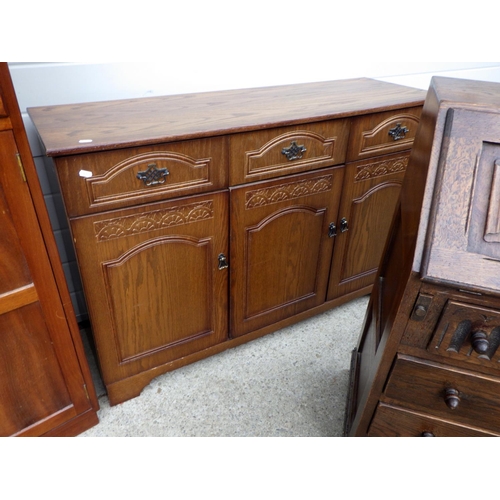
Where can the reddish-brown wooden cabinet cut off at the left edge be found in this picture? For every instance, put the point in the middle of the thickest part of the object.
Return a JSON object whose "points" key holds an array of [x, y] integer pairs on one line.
{"points": [[45, 384]]}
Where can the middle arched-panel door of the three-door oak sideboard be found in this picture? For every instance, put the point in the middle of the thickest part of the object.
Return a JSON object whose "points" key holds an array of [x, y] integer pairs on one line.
{"points": [[280, 247]]}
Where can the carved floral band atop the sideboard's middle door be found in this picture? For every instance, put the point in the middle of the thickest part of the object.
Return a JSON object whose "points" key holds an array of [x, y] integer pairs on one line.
{"points": [[289, 191]]}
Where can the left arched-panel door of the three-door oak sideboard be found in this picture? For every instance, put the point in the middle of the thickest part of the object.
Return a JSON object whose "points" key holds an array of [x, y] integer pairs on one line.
{"points": [[152, 281]]}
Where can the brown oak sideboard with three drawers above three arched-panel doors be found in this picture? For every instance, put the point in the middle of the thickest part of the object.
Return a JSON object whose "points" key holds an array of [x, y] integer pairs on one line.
{"points": [[203, 221]]}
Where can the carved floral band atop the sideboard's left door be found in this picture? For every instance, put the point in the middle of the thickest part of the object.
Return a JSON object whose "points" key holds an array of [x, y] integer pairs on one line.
{"points": [[150, 221]]}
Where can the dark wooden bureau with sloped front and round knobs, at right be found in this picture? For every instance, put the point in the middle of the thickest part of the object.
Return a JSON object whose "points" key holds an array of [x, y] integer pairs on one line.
{"points": [[428, 359]]}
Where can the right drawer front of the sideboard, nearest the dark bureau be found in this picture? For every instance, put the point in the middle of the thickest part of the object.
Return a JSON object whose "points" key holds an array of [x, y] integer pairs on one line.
{"points": [[383, 133]]}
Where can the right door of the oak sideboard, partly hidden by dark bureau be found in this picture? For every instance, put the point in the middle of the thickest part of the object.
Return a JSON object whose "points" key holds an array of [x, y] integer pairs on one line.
{"points": [[371, 193]]}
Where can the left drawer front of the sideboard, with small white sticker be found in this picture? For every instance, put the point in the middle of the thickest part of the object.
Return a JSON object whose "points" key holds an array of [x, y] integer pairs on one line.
{"points": [[94, 182]]}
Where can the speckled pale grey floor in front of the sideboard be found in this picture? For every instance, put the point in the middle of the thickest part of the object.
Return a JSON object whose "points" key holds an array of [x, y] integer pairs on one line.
{"points": [[290, 383]]}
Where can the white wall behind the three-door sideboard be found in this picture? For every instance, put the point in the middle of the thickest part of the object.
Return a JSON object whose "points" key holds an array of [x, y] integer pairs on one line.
{"points": [[40, 84]]}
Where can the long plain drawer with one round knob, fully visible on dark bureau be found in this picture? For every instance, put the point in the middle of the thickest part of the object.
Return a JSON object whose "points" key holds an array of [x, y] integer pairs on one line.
{"points": [[448, 393]]}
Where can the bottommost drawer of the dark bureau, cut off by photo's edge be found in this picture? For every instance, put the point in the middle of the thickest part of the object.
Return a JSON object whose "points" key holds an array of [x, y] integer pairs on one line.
{"points": [[390, 421]]}
